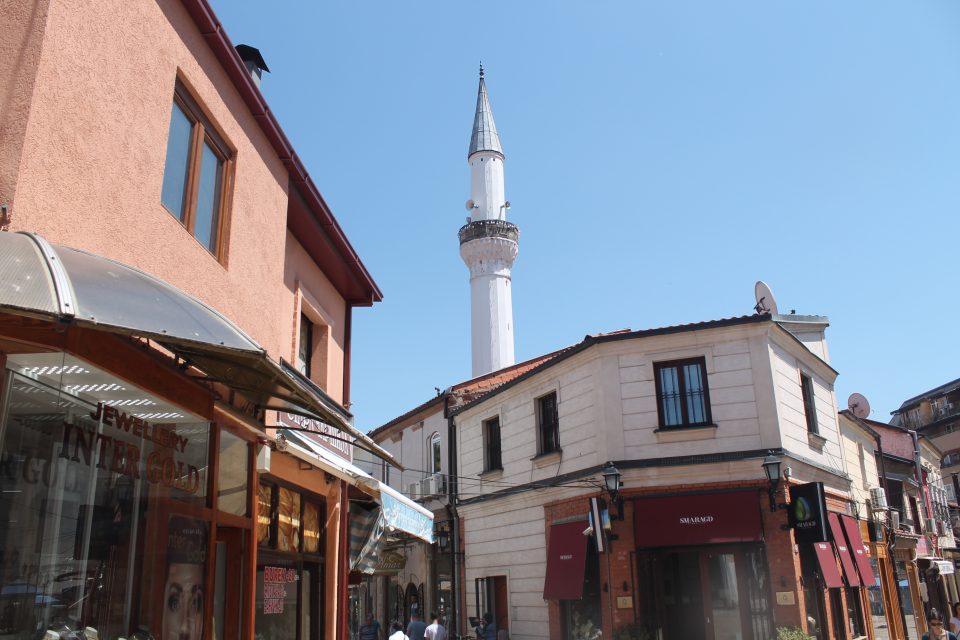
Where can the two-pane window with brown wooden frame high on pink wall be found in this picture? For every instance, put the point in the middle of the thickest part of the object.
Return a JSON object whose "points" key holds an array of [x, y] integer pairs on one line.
{"points": [[197, 173]]}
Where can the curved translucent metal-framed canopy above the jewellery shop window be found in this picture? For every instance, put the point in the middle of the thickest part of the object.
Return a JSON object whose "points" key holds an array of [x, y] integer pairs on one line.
{"points": [[54, 282]]}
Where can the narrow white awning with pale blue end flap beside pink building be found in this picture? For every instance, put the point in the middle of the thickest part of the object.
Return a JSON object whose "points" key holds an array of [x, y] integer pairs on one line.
{"points": [[401, 513]]}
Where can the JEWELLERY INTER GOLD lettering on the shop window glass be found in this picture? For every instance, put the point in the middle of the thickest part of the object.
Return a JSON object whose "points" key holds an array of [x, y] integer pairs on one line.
{"points": [[87, 444]]}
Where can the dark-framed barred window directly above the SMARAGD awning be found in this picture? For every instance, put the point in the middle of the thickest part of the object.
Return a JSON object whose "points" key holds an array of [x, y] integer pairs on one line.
{"points": [[683, 399]]}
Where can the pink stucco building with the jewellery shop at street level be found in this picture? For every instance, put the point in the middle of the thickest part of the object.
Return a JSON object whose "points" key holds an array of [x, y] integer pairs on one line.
{"points": [[173, 289]]}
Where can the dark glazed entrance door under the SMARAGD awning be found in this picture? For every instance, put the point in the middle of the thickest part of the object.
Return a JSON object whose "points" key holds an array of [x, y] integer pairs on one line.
{"points": [[704, 594]]}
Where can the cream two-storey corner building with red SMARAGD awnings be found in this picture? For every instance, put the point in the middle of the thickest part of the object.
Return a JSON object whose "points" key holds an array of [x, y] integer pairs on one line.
{"points": [[750, 386]]}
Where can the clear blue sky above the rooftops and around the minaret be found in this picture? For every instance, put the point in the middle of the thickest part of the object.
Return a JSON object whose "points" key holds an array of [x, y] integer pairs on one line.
{"points": [[661, 157]]}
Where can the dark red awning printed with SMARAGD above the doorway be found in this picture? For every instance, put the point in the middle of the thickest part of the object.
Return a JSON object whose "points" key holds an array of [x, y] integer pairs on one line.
{"points": [[701, 518]]}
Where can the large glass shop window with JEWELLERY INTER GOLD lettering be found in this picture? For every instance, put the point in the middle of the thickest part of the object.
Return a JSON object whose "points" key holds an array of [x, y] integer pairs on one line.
{"points": [[101, 486]]}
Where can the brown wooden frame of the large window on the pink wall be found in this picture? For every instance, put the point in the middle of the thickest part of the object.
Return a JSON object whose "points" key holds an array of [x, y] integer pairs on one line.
{"points": [[202, 130]]}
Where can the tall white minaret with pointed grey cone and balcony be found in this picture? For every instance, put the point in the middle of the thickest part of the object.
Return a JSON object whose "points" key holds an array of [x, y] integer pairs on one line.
{"points": [[488, 245]]}
